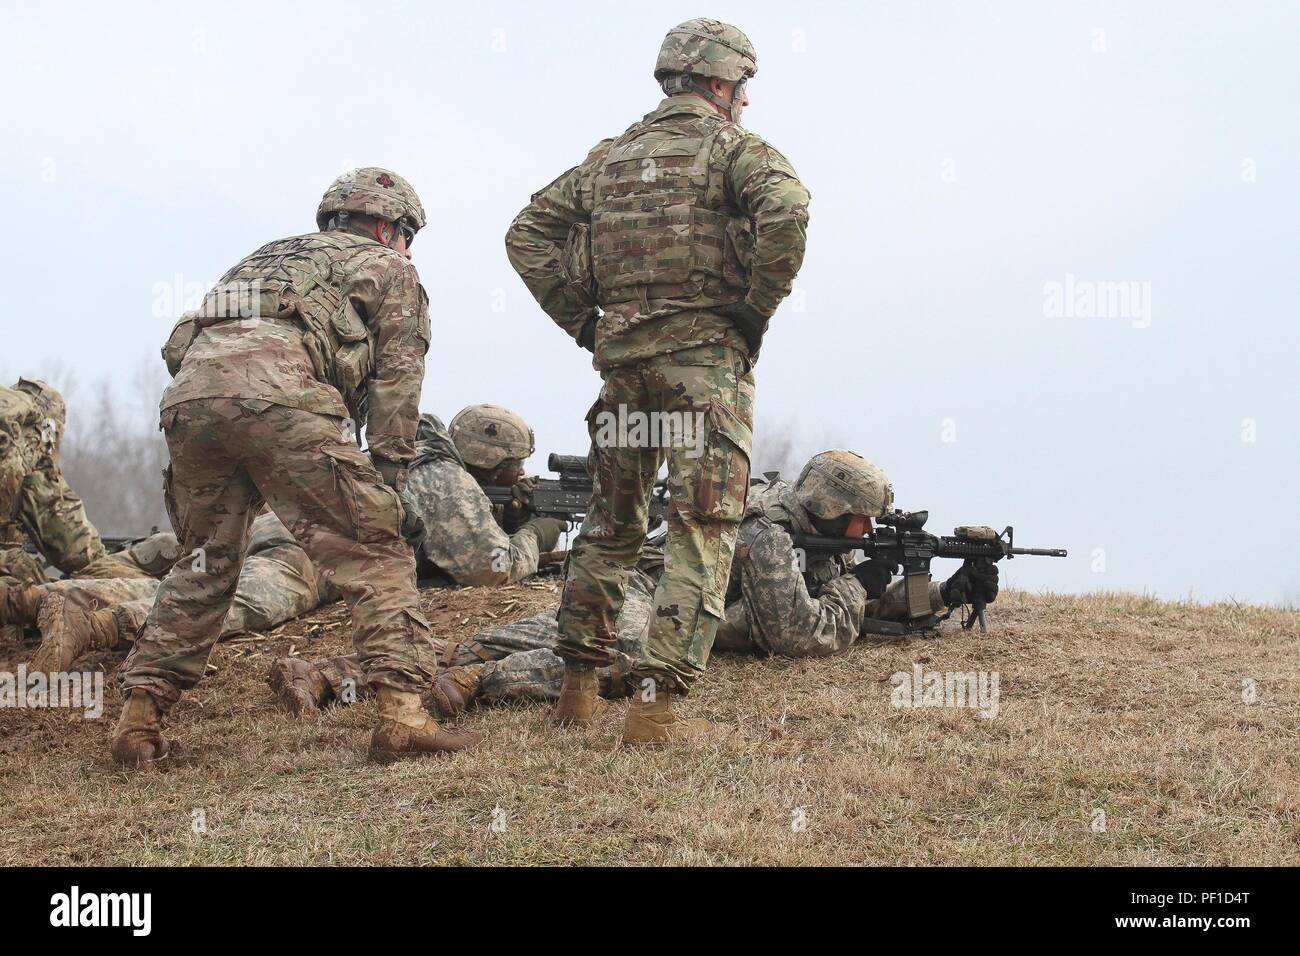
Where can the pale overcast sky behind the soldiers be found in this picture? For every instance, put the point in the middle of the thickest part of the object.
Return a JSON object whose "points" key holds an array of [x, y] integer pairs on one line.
{"points": [[978, 171]]}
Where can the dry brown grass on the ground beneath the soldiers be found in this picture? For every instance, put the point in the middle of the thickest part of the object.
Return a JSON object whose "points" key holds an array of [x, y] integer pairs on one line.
{"points": [[1115, 703]]}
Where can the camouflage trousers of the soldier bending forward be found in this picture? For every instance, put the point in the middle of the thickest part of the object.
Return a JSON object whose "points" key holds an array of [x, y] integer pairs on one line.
{"points": [[227, 456]]}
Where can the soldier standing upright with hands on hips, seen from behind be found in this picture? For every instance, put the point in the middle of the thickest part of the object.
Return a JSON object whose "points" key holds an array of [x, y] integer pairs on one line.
{"points": [[665, 253]]}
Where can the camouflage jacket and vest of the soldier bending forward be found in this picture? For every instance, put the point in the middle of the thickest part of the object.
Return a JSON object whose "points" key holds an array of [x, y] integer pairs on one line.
{"points": [[333, 323]]}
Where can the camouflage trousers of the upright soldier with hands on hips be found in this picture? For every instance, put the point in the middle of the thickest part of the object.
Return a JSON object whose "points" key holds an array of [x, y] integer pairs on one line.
{"points": [[713, 390]]}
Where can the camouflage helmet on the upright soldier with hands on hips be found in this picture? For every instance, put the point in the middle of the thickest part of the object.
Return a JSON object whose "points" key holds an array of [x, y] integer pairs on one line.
{"points": [[707, 49]]}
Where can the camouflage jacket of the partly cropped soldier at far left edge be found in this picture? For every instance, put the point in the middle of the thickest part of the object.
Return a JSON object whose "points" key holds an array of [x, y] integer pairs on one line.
{"points": [[36, 501]]}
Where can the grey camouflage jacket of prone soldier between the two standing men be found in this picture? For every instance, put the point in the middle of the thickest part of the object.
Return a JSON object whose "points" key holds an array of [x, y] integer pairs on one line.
{"points": [[463, 539]]}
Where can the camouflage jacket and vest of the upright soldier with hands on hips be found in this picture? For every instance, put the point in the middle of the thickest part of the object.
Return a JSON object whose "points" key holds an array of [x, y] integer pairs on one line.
{"points": [[682, 214]]}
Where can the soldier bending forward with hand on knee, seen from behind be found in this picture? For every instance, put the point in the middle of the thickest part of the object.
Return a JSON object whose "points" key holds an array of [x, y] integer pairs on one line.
{"points": [[291, 354]]}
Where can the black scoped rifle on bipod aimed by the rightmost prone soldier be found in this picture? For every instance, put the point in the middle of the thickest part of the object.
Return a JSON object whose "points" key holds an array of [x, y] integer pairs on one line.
{"points": [[902, 539]]}
